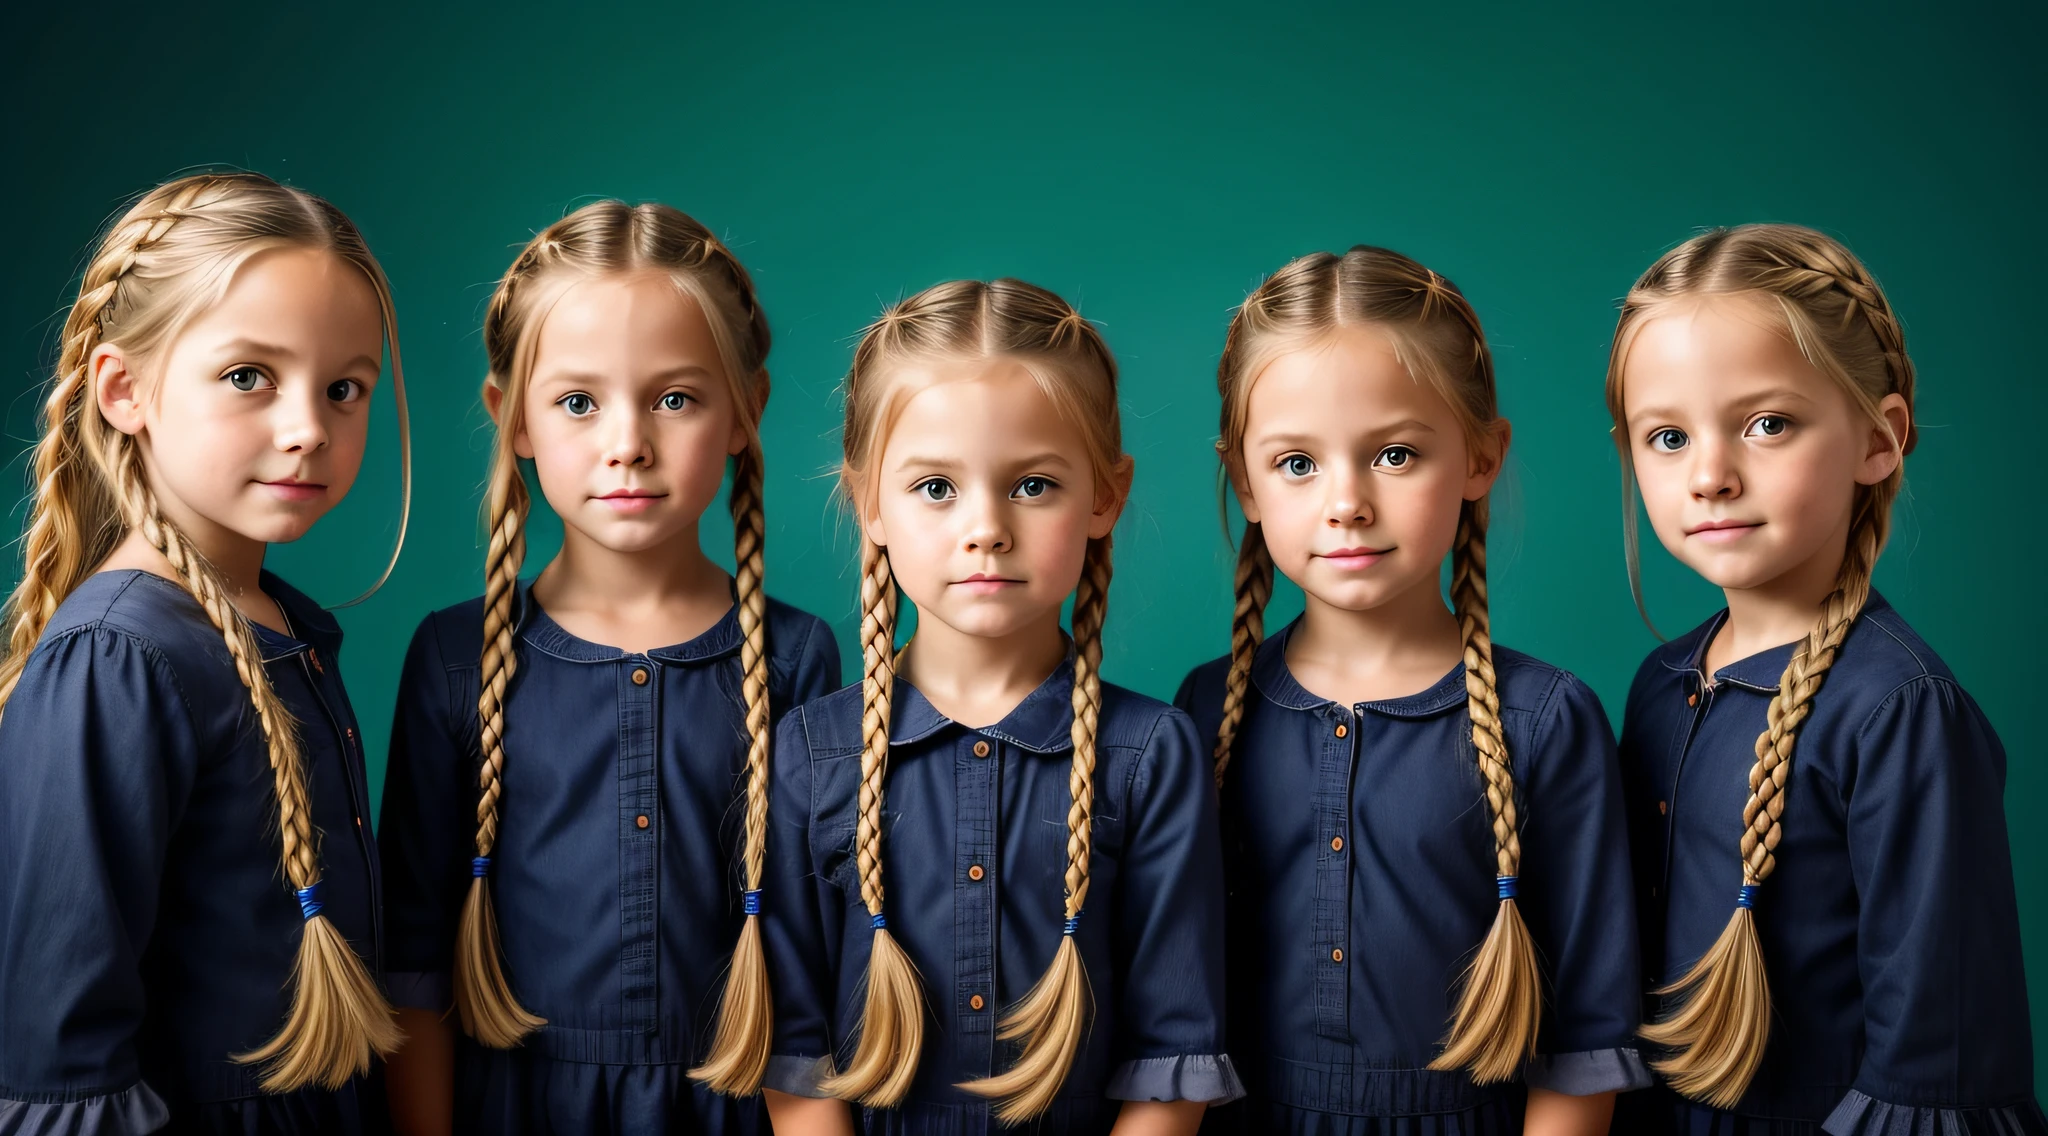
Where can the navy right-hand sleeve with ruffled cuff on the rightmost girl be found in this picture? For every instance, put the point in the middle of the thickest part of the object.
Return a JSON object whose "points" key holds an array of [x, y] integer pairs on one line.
{"points": [[1947, 1039]]}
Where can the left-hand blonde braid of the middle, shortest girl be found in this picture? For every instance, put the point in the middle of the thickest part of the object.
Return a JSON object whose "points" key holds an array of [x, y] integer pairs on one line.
{"points": [[892, 1022]]}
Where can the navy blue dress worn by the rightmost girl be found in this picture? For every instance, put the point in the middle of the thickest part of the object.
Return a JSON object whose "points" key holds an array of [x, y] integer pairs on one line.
{"points": [[1889, 928]]}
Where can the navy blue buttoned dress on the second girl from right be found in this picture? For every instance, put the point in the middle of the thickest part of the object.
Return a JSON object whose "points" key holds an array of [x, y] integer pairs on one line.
{"points": [[1361, 869]]}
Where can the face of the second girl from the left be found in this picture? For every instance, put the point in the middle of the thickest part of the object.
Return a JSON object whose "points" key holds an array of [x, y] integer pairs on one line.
{"points": [[630, 414]]}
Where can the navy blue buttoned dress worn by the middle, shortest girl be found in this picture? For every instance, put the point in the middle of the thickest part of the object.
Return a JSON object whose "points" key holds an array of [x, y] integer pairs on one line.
{"points": [[974, 867]]}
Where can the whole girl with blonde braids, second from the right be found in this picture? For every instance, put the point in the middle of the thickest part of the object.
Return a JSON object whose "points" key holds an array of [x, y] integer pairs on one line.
{"points": [[1422, 830]]}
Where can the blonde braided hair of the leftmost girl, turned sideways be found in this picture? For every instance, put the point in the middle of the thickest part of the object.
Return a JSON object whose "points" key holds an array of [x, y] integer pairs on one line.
{"points": [[169, 259]]}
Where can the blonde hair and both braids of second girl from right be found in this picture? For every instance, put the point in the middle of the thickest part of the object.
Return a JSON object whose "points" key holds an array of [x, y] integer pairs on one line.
{"points": [[1439, 339]]}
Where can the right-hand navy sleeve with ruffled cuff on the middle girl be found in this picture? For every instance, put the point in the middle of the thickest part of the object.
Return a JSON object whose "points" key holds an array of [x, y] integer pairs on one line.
{"points": [[1168, 934]]}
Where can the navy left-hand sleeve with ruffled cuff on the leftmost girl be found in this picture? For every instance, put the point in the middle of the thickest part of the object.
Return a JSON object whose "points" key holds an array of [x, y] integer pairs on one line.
{"points": [[97, 760]]}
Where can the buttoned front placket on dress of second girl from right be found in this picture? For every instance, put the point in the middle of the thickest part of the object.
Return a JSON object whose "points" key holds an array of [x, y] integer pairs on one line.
{"points": [[1336, 762]]}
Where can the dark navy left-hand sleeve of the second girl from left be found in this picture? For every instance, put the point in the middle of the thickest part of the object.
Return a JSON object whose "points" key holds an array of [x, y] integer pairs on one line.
{"points": [[427, 830]]}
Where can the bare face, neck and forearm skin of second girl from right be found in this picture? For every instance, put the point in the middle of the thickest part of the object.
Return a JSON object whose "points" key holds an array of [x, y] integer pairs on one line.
{"points": [[1357, 474]]}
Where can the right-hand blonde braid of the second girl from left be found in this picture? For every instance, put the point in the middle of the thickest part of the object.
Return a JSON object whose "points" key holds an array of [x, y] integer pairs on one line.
{"points": [[746, 1014]]}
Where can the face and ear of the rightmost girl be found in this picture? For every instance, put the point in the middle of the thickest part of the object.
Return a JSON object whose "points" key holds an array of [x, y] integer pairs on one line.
{"points": [[1746, 453]]}
